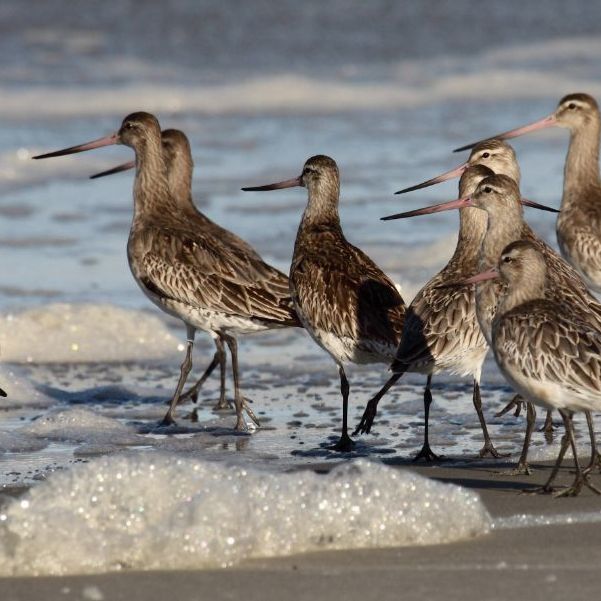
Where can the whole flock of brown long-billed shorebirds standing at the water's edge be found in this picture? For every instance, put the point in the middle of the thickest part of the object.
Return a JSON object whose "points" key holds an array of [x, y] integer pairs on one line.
{"points": [[504, 288]]}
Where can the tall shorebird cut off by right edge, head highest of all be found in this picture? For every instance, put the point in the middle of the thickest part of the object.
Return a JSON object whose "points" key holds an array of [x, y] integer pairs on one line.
{"points": [[579, 222]]}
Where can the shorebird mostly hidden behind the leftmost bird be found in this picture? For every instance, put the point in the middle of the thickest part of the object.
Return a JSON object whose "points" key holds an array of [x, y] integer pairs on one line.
{"points": [[179, 164]]}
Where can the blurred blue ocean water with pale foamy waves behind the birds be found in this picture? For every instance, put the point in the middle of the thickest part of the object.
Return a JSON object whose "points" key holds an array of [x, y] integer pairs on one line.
{"points": [[386, 88]]}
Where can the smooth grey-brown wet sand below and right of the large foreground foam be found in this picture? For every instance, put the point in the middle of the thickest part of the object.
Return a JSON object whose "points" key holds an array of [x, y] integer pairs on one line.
{"points": [[548, 562]]}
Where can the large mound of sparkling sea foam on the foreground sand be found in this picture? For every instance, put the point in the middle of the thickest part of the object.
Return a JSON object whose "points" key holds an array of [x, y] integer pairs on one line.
{"points": [[148, 511]]}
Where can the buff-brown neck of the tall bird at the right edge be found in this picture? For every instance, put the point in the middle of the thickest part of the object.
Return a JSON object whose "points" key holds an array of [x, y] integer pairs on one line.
{"points": [[582, 163]]}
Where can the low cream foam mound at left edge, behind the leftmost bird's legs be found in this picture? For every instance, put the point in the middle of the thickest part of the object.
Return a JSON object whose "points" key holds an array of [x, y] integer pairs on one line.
{"points": [[76, 333]]}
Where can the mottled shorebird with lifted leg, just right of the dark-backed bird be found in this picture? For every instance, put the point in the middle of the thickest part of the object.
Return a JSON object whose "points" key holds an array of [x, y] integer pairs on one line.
{"points": [[441, 330]]}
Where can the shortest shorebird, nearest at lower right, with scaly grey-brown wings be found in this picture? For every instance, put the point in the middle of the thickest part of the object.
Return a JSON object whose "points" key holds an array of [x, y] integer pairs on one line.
{"points": [[544, 349]]}
